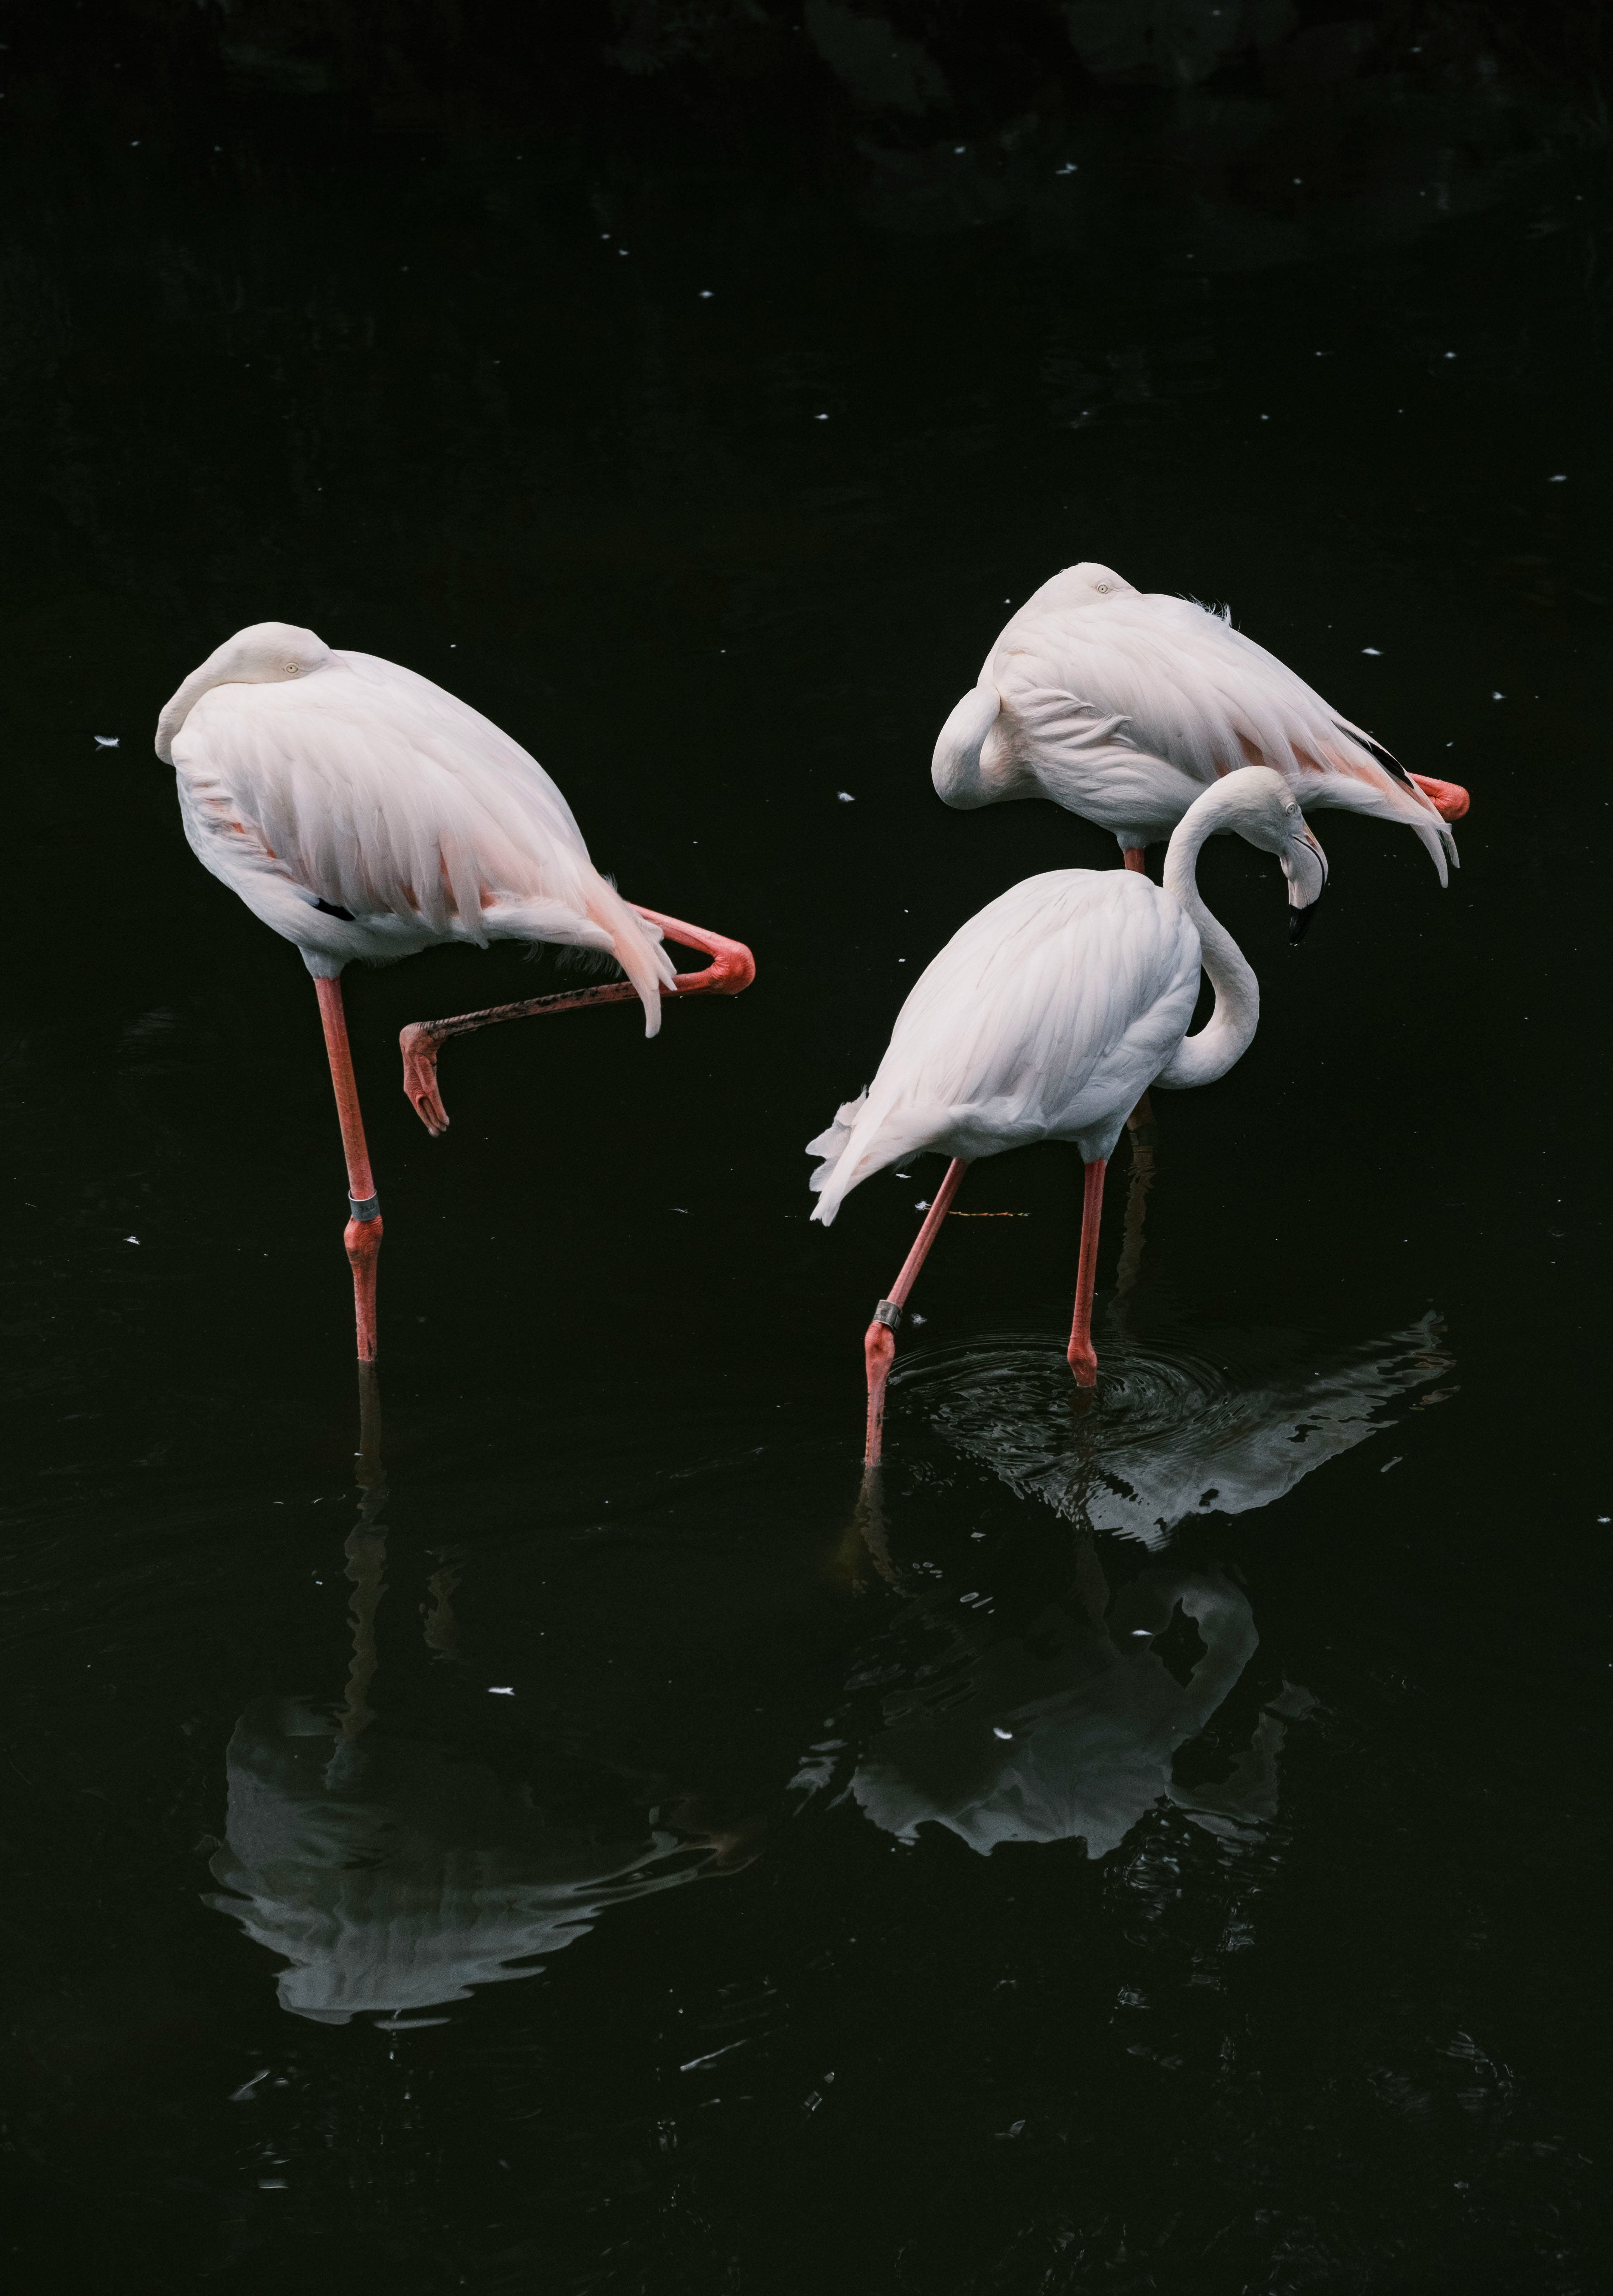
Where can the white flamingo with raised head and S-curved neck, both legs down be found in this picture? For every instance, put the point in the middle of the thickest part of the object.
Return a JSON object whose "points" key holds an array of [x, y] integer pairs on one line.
{"points": [[1047, 1018]]}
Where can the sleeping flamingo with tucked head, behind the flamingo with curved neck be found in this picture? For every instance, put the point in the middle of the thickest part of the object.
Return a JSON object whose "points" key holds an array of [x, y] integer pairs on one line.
{"points": [[1122, 706]]}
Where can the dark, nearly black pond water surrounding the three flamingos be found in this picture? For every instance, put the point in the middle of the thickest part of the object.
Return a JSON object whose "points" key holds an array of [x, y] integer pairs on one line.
{"points": [[1157, 1847]]}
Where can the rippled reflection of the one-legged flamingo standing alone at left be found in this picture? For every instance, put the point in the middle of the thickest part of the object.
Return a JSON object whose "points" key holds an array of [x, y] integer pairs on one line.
{"points": [[394, 1877]]}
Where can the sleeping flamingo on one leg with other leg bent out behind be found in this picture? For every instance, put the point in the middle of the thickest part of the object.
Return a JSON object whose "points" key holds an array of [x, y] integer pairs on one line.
{"points": [[362, 812]]}
